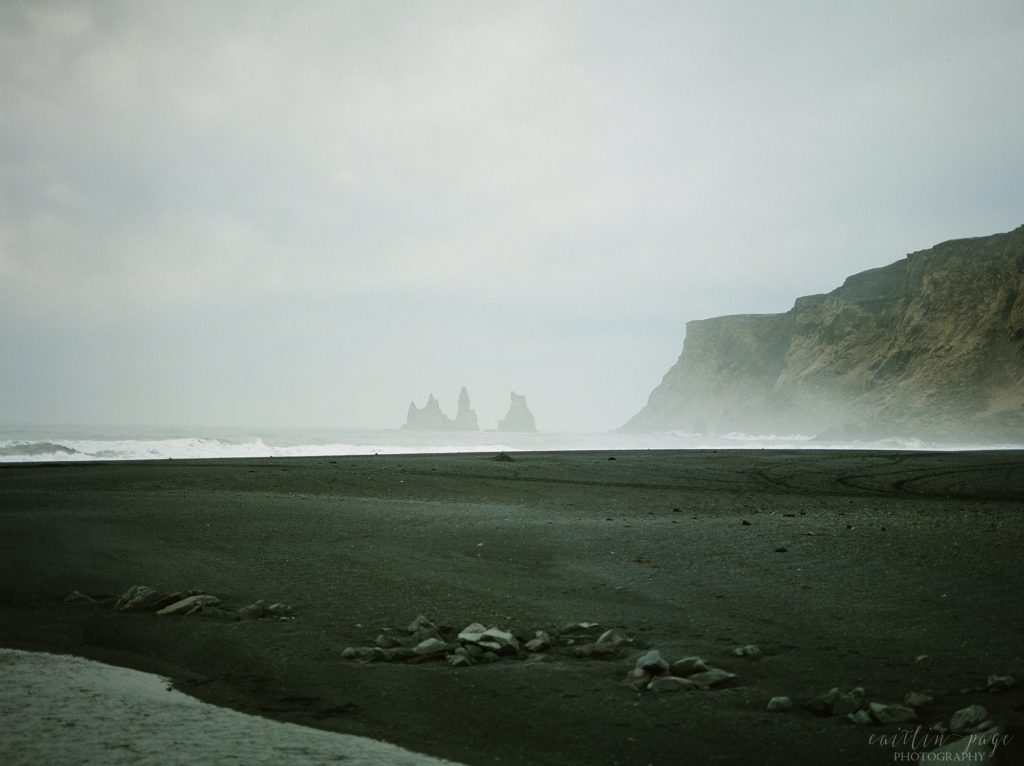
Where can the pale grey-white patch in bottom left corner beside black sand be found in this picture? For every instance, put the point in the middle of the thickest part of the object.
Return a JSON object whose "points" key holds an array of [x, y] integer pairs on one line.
{"points": [[62, 710]]}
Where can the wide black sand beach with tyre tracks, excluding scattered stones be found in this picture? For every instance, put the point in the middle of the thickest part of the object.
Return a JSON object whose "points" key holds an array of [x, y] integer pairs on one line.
{"points": [[889, 557]]}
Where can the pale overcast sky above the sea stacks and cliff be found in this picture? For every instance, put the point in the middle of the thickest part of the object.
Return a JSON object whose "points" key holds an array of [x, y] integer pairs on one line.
{"points": [[300, 214]]}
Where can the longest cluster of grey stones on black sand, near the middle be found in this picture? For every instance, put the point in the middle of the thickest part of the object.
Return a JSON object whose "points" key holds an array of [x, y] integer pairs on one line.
{"points": [[424, 642]]}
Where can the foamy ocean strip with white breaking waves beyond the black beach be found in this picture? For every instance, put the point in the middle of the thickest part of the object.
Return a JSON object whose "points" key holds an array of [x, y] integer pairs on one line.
{"points": [[65, 444]]}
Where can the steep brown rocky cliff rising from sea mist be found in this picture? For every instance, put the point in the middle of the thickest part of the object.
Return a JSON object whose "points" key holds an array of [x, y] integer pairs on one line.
{"points": [[932, 346]]}
